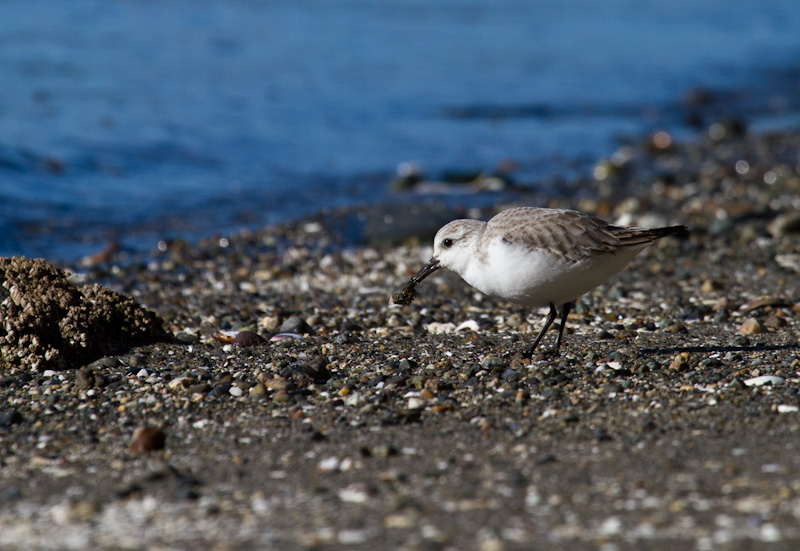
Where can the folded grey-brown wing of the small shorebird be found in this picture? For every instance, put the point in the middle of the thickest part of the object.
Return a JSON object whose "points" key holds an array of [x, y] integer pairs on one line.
{"points": [[568, 233]]}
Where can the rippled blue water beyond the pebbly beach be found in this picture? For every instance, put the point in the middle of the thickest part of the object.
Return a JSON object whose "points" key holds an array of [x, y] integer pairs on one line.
{"points": [[136, 121]]}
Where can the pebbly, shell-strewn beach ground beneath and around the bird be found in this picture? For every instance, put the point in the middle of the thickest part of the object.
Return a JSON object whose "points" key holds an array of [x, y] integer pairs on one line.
{"points": [[383, 427]]}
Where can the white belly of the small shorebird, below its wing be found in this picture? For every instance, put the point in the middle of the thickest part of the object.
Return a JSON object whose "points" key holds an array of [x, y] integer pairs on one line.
{"points": [[538, 278]]}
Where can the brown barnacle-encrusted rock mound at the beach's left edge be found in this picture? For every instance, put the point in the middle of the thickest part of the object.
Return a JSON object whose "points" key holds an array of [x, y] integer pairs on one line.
{"points": [[48, 323]]}
